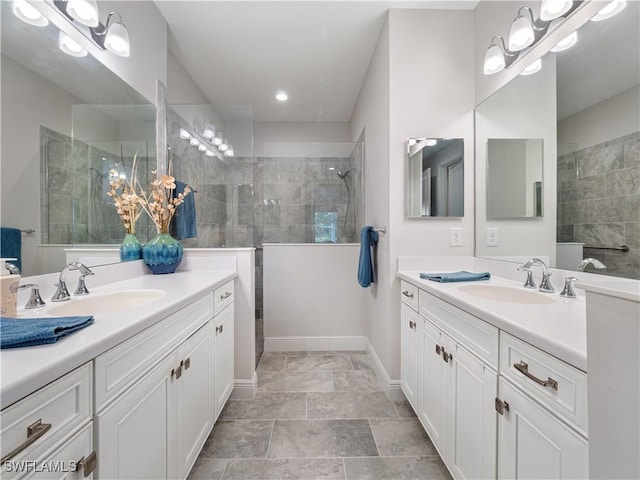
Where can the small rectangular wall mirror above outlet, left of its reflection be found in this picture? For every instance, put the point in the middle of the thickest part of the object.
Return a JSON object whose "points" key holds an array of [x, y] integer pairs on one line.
{"points": [[435, 180]]}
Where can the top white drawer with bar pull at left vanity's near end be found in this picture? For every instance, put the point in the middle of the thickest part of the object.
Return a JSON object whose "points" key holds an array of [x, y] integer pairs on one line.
{"points": [[60, 408]]}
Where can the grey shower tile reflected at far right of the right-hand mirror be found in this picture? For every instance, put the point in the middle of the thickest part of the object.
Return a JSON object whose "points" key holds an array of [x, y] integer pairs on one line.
{"points": [[599, 202]]}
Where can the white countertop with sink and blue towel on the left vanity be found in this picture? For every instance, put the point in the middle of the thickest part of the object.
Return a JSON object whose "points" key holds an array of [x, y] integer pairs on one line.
{"points": [[24, 370]]}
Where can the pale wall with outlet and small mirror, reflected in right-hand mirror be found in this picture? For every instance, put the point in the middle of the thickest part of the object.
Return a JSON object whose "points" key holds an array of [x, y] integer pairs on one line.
{"points": [[525, 108]]}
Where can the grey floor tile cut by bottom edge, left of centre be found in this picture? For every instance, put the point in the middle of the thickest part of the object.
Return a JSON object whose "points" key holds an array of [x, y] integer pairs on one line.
{"points": [[289, 469]]}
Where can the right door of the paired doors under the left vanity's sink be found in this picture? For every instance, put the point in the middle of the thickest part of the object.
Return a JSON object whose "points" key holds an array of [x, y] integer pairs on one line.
{"points": [[194, 402]]}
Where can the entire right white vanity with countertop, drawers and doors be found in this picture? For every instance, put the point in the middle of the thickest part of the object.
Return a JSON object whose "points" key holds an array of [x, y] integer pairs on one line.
{"points": [[496, 374]]}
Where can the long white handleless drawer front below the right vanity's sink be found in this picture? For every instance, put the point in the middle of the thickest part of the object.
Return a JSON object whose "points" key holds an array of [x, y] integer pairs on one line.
{"points": [[474, 334]]}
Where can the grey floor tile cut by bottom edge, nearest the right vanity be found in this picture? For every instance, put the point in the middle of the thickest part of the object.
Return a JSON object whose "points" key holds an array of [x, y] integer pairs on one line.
{"points": [[396, 468]]}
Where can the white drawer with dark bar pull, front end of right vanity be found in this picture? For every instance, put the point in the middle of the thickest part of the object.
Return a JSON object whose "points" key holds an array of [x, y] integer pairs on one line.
{"points": [[568, 398]]}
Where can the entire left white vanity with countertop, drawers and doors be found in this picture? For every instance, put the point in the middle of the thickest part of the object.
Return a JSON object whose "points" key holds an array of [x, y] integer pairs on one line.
{"points": [[135, 394]]}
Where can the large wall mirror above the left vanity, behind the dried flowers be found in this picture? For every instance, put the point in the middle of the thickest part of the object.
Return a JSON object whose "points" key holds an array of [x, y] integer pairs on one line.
{"points": [[66, 121]]}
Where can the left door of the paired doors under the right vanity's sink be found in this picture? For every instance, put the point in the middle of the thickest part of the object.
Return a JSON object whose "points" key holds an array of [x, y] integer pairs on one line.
{"points": [[432, 384]]}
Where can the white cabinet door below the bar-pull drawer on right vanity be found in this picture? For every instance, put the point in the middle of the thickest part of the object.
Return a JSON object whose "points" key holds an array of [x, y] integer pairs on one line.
{"points": [[535, 444]]}
